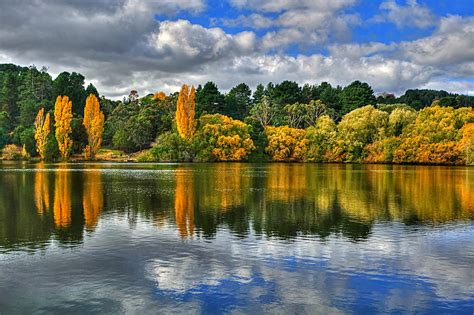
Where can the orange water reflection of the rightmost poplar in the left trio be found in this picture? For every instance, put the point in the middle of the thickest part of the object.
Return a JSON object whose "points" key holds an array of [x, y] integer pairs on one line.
{"points": [[92, 198]]}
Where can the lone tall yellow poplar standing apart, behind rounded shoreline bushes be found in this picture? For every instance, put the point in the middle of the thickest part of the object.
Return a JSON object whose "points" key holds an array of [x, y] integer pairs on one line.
{"points": [[185, 111]]}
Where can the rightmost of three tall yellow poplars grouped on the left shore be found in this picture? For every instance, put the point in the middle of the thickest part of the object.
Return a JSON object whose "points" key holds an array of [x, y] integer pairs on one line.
{"points": [[94, 124]]}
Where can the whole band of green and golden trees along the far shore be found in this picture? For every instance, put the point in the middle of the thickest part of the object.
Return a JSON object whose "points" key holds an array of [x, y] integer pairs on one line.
{"points": [[42, 118]]}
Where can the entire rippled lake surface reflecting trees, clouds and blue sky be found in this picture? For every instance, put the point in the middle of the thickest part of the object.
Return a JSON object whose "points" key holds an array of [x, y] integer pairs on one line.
{"points": [[210, 238]]}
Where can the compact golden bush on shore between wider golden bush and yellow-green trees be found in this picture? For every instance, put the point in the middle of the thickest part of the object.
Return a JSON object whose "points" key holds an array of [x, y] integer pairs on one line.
{"points": [[285, 143]]}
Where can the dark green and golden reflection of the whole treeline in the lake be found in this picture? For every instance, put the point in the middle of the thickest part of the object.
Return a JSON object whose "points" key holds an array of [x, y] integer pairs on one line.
{"points": [[283, 200]]}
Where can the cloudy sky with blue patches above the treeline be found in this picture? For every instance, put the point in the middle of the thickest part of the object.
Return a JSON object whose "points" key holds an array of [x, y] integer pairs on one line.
{"points": [[157, 45]]}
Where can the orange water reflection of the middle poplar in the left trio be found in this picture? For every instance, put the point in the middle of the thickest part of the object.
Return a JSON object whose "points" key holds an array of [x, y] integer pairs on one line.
{"points": [[62, 198]]}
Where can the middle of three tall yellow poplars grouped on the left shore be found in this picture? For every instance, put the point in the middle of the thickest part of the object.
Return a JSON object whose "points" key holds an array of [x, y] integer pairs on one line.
{"points": [[63, 118]]}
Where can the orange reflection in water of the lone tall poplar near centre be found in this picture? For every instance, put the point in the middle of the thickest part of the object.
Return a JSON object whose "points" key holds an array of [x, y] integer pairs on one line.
{"points": [[184, 204]]}
